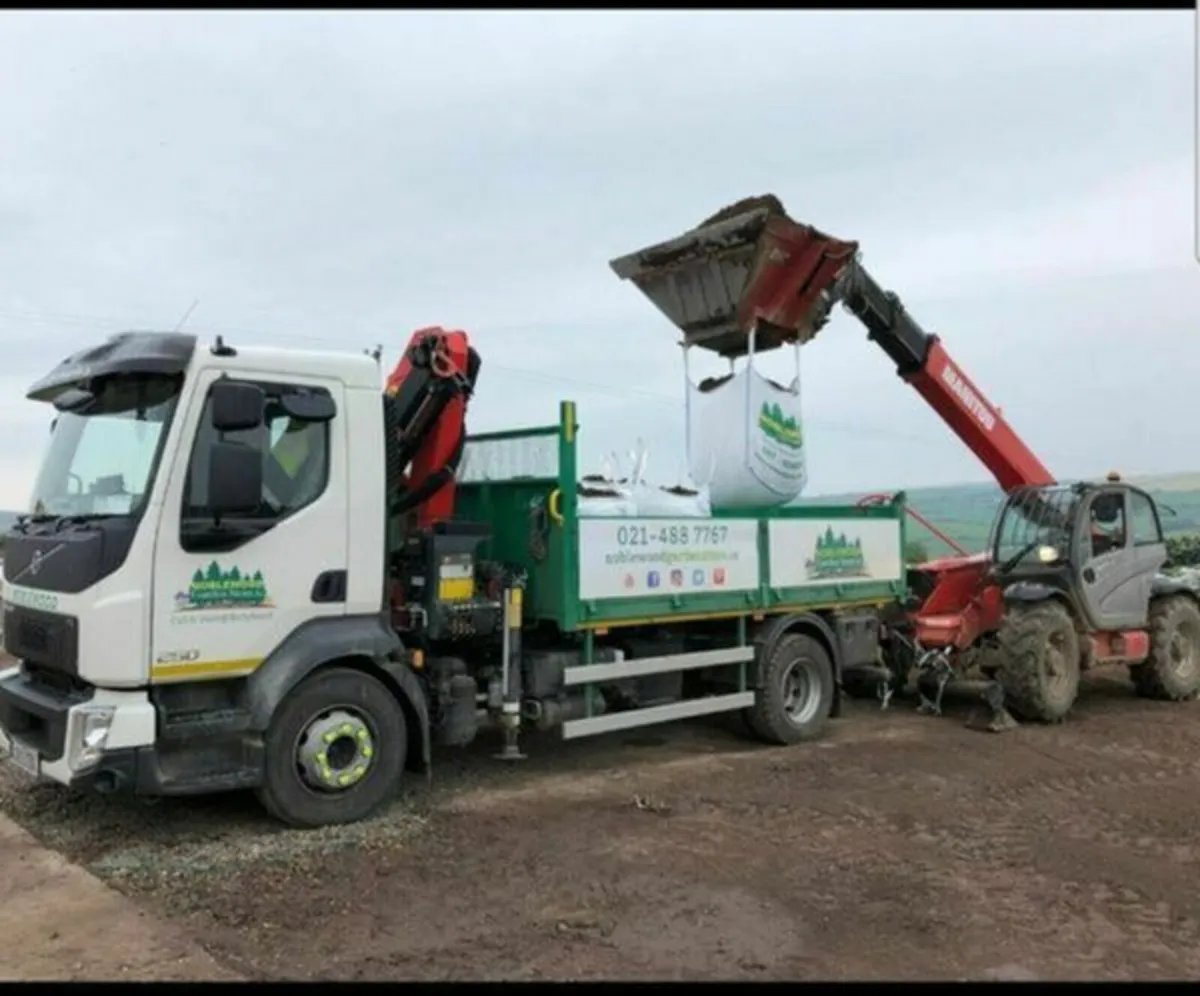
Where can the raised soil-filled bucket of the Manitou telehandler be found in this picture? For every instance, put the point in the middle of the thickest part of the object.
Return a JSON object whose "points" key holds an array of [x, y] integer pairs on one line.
{"points": [[749, 268]]}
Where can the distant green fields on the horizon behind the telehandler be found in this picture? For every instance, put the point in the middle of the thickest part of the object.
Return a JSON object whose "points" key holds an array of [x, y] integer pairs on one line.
{"points": [[967, 512]]}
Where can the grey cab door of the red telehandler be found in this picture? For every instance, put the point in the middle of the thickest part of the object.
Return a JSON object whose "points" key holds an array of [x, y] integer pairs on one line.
{"points": [[1115, 571]]}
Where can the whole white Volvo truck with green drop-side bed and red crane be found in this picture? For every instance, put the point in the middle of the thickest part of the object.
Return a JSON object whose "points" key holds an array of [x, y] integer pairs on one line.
{"points": [[250, 568]]}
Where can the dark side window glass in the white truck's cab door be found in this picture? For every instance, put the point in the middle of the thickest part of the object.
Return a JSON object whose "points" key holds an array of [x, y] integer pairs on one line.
{"points": [[296, 467]]}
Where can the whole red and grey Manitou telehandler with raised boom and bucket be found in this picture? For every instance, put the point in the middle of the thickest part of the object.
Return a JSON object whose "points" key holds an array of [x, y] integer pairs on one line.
{"points": [[1072, 574]]}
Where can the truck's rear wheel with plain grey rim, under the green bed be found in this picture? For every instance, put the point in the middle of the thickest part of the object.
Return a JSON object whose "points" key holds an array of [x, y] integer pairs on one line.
{"points": [[794, 692]]}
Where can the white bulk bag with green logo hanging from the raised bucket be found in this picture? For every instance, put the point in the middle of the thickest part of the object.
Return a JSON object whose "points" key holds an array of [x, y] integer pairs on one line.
{"points": [[746, 441]]}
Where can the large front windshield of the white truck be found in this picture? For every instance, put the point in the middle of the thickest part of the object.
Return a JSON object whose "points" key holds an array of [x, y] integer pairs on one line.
{"points": [[103, 457]]}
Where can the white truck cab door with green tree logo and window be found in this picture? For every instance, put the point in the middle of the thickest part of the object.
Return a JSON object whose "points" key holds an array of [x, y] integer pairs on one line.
{"points": [[229, 593]]}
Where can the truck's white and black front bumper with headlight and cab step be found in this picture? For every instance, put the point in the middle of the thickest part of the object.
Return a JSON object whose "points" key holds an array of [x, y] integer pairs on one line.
{"points": [[62, 728]]}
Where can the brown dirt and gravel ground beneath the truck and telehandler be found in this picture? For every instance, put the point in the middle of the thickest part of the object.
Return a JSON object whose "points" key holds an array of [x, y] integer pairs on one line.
{"points": [[901, 848]]}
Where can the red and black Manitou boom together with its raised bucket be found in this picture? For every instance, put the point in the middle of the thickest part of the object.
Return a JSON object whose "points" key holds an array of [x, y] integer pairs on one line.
{"points": [[753, 278]]}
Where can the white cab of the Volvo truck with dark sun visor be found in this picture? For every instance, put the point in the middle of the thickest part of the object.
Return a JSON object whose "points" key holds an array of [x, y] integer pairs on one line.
{"points": [[169, 542]]}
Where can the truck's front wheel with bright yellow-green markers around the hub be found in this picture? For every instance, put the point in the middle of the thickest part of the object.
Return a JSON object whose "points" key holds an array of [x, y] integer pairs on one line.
{"points": [[335, 751]]}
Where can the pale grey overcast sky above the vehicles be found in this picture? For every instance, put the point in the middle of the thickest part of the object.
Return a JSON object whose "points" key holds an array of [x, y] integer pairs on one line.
{"points": [[1025, 182]]}
